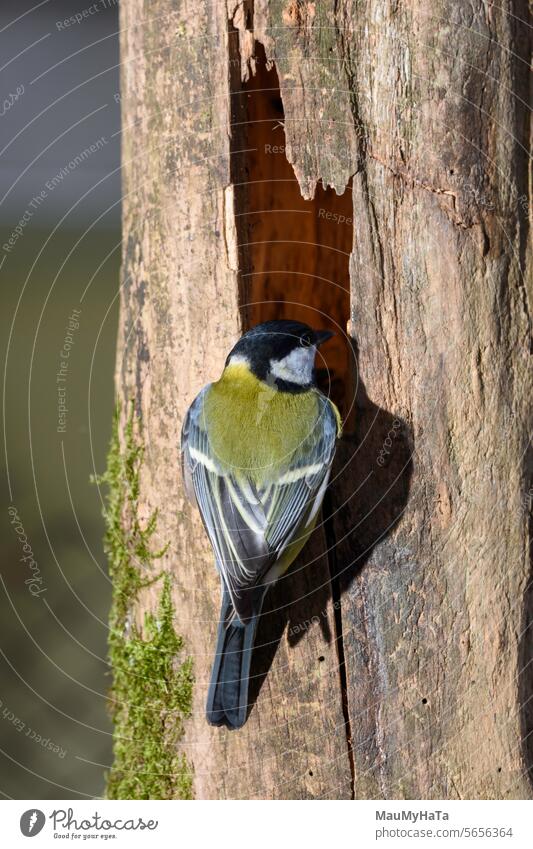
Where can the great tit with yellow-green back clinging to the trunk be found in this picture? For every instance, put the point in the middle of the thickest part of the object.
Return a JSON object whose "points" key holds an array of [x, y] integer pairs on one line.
{"points": [[257, 448]]}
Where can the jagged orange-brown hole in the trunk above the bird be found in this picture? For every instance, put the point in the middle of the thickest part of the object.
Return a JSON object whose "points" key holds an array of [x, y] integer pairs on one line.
{"points": [[295, 253]]}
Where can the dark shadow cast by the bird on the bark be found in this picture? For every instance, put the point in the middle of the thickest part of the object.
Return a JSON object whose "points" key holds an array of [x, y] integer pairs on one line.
{"points": [[368, 495]]}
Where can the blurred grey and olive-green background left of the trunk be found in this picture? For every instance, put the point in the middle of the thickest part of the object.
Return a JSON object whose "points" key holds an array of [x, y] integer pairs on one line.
{"points": [[59, 263]]}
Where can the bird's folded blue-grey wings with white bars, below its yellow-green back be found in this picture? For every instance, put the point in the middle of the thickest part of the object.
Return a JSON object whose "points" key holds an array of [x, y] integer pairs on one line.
{"points": [[249, 528]]}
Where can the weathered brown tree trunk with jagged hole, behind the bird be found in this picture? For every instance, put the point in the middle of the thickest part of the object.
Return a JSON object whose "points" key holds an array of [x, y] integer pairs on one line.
{"points": [[396, 663]]}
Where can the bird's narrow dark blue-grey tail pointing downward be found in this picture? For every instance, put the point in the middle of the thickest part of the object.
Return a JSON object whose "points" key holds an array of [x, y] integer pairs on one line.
{"points": [[227, 700]]}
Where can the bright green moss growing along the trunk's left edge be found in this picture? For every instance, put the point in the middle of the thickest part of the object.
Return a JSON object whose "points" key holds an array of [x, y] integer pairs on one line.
{"points": [[152, 686]]}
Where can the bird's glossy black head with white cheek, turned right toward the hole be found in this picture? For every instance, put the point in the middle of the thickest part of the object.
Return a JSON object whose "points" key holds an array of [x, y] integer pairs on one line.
{"points": [[281, 353]]}
